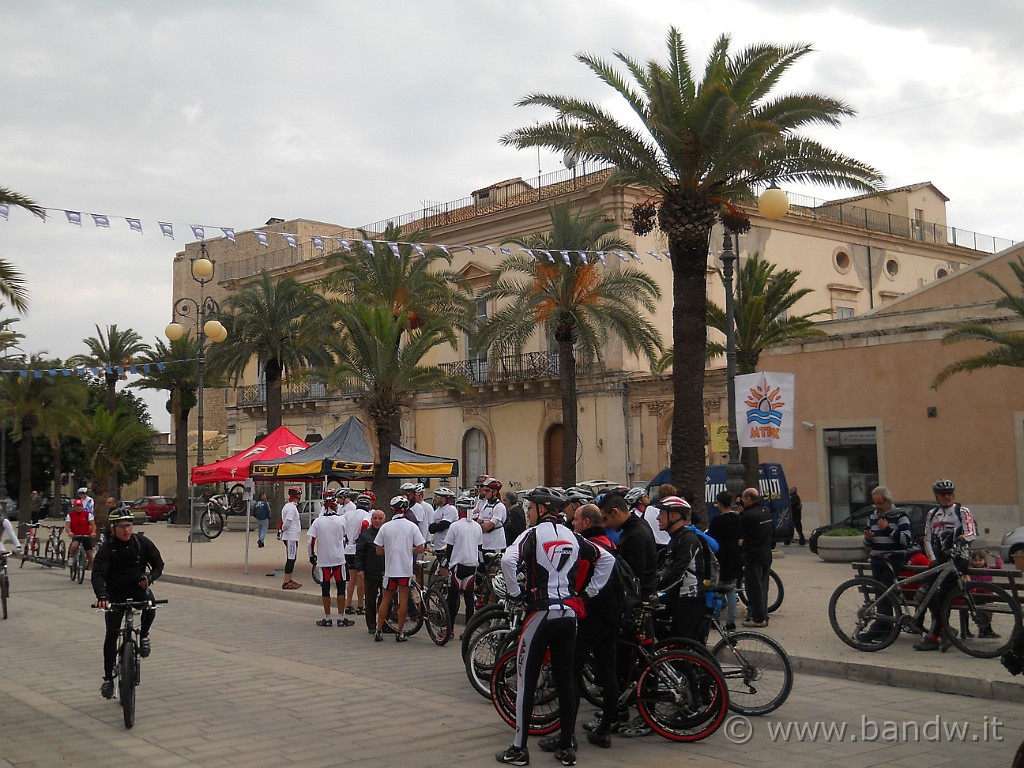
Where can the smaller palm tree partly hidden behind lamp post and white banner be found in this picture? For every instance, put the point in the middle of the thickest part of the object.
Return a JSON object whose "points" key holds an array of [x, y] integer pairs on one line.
{"points": [[761, 311]]}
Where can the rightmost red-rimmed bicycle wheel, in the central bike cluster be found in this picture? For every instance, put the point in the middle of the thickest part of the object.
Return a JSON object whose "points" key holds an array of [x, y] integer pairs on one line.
{"points": [[682, 697]]}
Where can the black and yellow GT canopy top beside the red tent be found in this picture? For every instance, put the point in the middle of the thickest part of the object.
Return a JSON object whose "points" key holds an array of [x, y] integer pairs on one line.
{"points": [[348, 455]]}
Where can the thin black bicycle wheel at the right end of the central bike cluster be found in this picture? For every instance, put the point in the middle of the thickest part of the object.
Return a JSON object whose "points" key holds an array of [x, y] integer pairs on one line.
{"points": [[757, 670]]}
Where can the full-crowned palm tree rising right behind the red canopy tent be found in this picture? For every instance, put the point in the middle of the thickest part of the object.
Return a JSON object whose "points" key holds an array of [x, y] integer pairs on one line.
{"points": [[281, 324]]}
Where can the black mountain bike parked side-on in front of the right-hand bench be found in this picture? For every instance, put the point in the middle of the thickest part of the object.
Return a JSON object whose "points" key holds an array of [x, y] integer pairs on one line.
{"points": [[979, 618]]}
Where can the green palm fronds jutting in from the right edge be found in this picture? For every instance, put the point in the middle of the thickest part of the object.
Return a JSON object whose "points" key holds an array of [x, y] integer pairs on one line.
{"points": [[1008, 347]]}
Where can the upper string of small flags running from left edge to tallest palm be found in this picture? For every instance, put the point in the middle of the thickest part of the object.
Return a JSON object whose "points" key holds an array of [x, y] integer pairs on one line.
{"points": [[318, 242]]}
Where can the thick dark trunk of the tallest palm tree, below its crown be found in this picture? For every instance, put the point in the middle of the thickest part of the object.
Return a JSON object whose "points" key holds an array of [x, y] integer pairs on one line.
{"points": [[690, 339]]}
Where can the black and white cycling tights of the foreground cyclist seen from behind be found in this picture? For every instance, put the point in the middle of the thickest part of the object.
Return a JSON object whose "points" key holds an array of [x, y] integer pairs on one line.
{"points": [[554, 629]]}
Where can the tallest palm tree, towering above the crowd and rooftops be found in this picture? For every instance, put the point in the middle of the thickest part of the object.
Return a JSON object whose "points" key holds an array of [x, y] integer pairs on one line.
{"points": [[700, 145]]}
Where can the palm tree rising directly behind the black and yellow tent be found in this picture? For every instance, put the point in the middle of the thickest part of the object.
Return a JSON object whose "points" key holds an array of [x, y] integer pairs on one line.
{"points": [[379, 354]]}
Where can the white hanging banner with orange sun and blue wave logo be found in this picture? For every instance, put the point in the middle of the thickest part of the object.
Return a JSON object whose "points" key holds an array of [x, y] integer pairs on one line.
{"points": [[765, 410]]}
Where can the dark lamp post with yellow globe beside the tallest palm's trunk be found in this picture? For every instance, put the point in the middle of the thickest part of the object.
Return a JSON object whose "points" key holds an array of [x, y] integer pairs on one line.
{"points": [[774, 205]]}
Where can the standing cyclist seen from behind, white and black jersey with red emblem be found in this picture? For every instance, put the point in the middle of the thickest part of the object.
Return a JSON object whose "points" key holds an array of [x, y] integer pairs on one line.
{"points": [[548, 557]]}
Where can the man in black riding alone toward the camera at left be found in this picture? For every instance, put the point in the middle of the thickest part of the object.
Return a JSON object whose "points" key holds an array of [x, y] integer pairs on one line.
{"points": [[125, 568]]}
